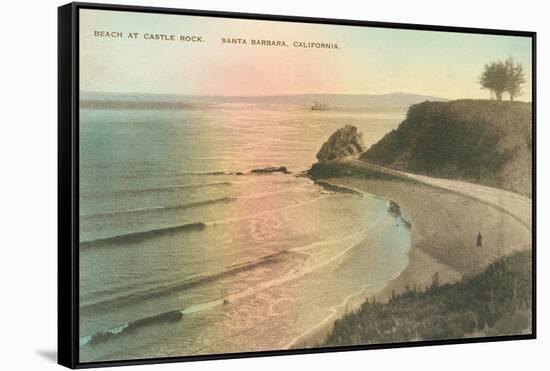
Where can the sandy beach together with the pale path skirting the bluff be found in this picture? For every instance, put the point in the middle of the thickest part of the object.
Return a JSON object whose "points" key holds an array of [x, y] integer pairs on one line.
{"points": [[445, 216]]}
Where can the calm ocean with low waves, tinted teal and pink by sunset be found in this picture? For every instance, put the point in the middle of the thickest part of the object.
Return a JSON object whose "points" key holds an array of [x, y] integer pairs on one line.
{"points": [[183, 251]]}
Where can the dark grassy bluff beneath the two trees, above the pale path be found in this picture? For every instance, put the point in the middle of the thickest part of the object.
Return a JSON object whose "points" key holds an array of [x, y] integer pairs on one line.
{"points": [[475, 140]]}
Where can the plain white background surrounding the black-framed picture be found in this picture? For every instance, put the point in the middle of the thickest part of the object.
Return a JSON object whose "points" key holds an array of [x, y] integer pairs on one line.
{"points": [[28, 155]]}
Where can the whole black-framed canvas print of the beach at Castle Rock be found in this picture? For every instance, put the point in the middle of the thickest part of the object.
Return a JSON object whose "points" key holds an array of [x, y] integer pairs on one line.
{"points": [[237, 185]]}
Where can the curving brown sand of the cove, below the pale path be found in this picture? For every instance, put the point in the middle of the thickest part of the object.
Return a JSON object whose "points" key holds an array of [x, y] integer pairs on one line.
{"points": [[444, 224]]}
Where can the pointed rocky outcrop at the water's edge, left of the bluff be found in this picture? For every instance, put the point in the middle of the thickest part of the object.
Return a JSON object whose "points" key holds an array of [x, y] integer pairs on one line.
{"points": [[343, 142]]}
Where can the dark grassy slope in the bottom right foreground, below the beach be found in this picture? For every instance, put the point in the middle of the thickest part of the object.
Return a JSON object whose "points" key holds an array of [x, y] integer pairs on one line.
{"points": [[492, 303]]}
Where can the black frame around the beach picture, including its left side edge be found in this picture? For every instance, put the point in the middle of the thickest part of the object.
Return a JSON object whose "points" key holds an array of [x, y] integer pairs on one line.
{"points": [[68, 181]]}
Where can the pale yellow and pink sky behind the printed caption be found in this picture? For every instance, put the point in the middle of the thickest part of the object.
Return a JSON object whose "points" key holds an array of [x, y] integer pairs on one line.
{"points": [[368, 60]]}
